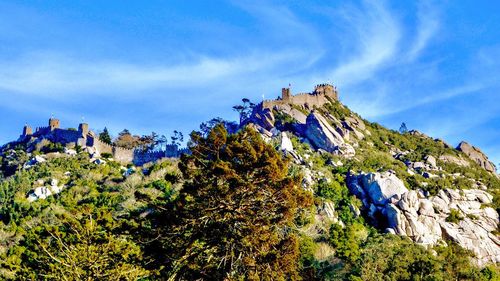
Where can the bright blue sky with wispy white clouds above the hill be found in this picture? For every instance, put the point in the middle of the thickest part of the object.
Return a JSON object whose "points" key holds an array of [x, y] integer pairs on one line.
{"points": [[165, 65]]}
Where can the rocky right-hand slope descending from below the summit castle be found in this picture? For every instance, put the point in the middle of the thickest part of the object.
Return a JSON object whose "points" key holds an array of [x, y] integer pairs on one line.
{"points": [[397, 200]]}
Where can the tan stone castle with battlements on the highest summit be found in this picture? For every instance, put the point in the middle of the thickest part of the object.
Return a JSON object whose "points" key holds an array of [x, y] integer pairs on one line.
{"points": [[322, 94]]}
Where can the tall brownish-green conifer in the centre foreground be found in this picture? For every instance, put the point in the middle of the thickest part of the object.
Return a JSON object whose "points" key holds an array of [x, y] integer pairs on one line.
{"points": [[234, 214]]}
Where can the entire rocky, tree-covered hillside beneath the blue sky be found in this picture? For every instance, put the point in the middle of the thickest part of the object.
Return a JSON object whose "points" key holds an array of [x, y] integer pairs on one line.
{"points": [[318, 194]]}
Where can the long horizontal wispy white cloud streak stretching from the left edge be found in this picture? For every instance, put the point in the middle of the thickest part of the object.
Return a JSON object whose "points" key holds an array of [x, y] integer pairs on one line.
{"points": [[55, 75]]}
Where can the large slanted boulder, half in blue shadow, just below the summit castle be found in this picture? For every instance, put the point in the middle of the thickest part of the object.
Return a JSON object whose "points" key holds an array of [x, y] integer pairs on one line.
{"points": [[321, 134]]}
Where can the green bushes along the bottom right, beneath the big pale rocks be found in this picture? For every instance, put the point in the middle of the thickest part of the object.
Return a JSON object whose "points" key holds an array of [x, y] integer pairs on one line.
{"points": [[390, 257]]}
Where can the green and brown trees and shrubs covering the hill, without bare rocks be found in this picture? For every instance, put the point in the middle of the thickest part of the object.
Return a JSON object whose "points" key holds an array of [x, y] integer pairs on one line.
{"points": [[234, 209]]}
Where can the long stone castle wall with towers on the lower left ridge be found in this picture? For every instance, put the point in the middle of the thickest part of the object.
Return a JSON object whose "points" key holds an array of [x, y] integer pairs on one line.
{"points": [[85, 138]]}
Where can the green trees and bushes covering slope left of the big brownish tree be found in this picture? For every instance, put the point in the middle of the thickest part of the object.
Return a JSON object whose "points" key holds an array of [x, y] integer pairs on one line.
{"points": [[91, 223]]}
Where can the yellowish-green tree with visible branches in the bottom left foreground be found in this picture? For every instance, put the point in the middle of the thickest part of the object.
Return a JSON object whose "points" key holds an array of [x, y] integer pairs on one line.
{"points": [[81, 248]]}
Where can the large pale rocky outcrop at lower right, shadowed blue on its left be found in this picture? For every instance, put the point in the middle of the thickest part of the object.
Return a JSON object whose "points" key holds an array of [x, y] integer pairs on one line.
{"points": [[423, 218]]}
